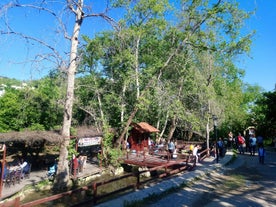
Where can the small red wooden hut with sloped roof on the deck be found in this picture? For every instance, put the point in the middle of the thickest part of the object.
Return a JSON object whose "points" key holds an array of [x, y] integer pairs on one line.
{"points": [[140, 135]]}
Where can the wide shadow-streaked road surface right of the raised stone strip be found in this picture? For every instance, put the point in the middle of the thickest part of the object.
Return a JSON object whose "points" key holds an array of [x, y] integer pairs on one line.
{"points": [[245, 182]]}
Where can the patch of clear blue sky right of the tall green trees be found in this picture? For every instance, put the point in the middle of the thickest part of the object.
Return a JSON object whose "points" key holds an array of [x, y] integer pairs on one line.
{"points": [[261, 66]]}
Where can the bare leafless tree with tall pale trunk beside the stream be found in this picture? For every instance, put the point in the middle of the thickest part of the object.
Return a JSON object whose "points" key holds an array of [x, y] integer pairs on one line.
{"points": [[78, 12]]}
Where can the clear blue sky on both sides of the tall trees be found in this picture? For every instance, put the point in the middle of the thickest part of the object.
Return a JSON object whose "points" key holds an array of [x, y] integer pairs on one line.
{"points": [[260, 66]]}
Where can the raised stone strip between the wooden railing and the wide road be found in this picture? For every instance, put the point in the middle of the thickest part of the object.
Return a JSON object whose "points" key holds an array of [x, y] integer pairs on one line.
{"points": [[205, 167]]}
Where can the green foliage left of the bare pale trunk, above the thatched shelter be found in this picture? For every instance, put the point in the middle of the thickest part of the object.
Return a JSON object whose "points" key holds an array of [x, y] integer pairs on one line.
{"points": [[34, 106]]}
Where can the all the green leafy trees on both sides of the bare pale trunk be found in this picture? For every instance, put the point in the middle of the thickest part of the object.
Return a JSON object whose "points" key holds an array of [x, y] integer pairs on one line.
{"points": [[175, 63]]}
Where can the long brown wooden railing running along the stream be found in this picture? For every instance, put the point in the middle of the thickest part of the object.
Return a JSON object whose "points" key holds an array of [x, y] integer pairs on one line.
{"points": [[94, 186]]}
